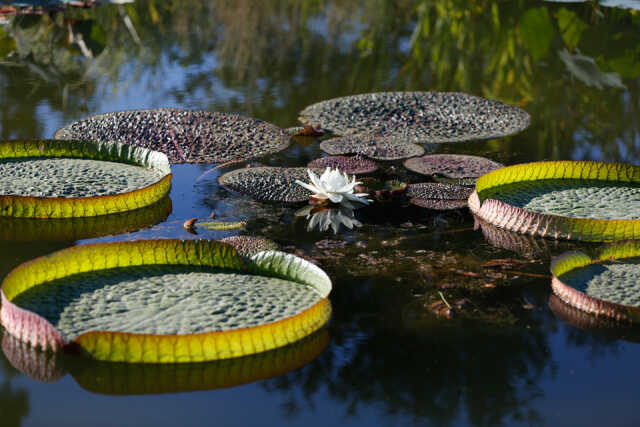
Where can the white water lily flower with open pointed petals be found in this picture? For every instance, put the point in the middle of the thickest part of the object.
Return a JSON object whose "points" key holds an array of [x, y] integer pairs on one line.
{"points": [[335, 186]]}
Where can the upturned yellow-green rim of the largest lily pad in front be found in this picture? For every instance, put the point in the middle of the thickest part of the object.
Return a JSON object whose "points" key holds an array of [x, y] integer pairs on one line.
{"points": [[149, 348]]}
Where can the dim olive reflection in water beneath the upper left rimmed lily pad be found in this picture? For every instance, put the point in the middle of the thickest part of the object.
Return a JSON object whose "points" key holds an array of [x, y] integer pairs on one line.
{"points": [[38, 230]]}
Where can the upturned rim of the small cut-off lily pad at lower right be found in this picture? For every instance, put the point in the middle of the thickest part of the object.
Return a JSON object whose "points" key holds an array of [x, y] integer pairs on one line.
{"points": [[575, 298]]}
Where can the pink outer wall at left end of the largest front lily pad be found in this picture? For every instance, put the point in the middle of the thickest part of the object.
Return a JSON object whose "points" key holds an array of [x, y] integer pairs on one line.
{"points": [[29, 327]]}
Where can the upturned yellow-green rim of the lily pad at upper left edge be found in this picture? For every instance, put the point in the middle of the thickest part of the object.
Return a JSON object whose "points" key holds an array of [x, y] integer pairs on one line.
{"points": [[71, 207]]}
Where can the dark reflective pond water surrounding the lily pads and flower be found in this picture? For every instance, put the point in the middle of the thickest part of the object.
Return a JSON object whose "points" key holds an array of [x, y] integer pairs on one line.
{"points": [[505, 357]]}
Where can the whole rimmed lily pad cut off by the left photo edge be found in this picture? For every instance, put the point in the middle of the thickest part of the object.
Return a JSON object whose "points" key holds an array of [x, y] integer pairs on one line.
{"points": [[64, 179]]}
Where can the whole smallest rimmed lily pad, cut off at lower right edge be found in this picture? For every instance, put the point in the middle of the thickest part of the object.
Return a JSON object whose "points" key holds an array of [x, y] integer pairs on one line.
{"points": [[606, 285]]}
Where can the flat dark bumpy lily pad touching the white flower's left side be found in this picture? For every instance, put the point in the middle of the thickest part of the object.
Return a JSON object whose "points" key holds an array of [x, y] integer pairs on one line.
{"points": [[269, 183]]}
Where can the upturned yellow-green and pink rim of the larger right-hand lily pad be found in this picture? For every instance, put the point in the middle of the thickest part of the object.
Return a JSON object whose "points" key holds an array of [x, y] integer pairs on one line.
{"points": [[520, 220]]}
